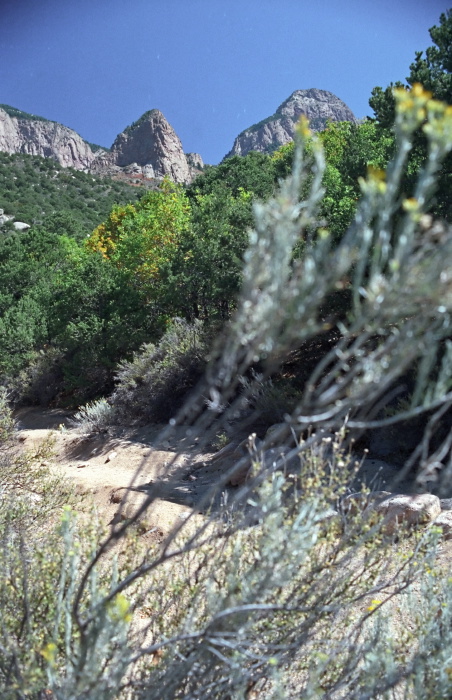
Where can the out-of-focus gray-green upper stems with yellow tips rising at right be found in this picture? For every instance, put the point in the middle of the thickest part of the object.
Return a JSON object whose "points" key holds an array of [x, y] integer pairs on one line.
{"points": [[394, 260]]}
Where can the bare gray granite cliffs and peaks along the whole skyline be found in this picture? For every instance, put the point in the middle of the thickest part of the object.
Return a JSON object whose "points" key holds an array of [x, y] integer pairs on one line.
{"points": [[150, 148]]}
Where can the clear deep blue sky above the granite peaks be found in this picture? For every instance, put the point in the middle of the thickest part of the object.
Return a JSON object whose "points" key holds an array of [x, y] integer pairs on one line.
{"points": [[213, 67]]}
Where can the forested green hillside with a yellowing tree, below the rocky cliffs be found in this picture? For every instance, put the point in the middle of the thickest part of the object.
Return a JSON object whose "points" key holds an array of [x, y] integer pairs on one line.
{"points": [[76, 299]]}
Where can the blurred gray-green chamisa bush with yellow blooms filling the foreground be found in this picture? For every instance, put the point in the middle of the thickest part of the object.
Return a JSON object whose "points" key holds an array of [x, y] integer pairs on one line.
{"points": [[275, 590]]}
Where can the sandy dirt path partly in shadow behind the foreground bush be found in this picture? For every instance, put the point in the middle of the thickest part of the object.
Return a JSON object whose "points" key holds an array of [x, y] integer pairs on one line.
{"points": [[106, 467]]}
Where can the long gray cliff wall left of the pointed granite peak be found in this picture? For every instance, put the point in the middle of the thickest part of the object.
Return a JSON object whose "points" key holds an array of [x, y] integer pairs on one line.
{"points": [[44, 138]]}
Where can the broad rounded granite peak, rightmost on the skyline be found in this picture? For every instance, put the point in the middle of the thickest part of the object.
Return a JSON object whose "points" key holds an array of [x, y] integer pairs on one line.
{"points": [[318, 106]]}
